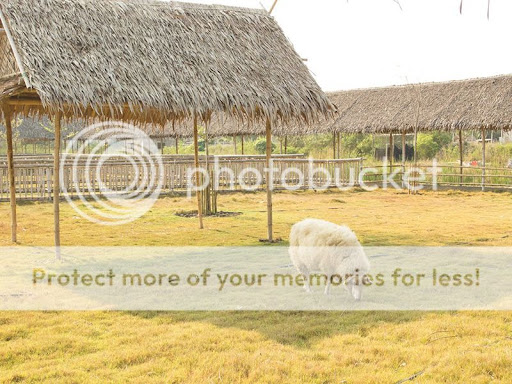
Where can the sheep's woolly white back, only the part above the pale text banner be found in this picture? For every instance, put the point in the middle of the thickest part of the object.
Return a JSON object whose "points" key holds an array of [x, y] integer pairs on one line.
{"points": [[320, 233]]}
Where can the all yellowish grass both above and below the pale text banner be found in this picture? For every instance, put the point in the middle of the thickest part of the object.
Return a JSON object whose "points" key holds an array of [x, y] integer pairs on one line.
{"points": [[268, 347]]}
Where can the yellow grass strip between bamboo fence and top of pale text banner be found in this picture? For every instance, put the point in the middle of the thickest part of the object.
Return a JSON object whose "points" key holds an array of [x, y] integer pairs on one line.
{"points": [[379, 218]]}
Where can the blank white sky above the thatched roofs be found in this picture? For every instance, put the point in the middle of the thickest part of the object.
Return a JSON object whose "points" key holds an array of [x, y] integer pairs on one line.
{"points": [[369, 43]]}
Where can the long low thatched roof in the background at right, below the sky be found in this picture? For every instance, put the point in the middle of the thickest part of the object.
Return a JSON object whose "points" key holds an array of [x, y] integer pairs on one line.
{"points": [[467, 104]]}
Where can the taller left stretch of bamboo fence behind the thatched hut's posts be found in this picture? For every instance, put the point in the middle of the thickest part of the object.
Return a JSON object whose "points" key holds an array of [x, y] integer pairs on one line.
{"points": [[33, 180]]}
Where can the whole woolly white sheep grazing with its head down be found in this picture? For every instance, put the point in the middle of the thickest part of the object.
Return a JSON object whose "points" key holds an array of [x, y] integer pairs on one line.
{"points": [[318, 245]]}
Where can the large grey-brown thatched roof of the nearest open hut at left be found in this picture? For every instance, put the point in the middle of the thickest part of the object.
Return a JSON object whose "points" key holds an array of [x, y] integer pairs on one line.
{"points": [[153, 61]]}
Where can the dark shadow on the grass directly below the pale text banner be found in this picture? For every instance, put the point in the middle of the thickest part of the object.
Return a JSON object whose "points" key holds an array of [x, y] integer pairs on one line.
{"points": [[298, 329]]}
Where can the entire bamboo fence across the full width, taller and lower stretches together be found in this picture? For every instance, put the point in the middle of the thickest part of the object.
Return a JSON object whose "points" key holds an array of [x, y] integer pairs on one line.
{"points": [[34, 175]]}
